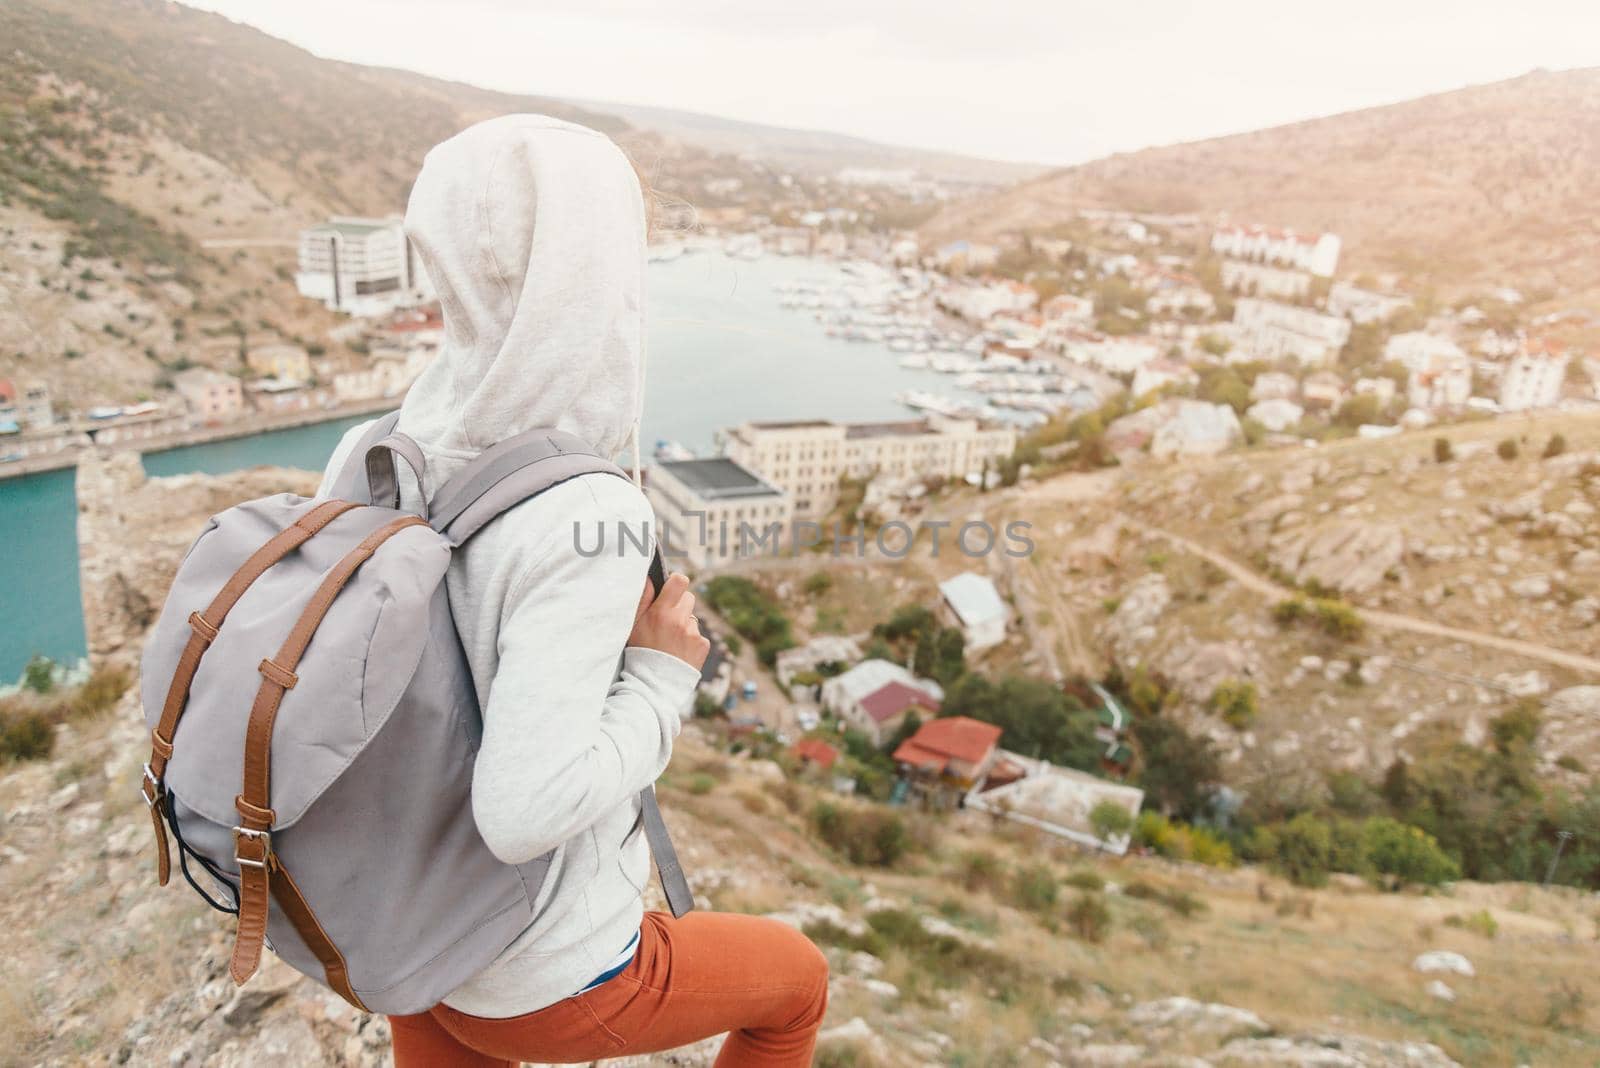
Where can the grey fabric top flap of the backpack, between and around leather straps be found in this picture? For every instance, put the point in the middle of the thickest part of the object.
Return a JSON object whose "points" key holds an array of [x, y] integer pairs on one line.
{"points": [[346, 685]]}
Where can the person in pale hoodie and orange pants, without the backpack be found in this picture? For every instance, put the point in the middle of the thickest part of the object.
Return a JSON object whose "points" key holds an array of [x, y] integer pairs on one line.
{"points": [[534, 234]]}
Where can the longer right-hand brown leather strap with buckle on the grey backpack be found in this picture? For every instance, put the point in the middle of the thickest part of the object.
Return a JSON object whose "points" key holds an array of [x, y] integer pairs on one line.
{"points": [[252, 839]]}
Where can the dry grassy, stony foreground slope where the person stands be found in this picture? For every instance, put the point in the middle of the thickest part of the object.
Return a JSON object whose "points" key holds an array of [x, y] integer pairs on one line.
{"points": [[983, 944]]}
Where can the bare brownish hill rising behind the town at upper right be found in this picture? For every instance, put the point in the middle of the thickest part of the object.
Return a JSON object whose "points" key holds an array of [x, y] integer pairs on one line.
{"points": [[1489, 185]]}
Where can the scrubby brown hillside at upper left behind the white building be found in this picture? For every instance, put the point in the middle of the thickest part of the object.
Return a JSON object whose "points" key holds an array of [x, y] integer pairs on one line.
{"points": [[158, 165]]}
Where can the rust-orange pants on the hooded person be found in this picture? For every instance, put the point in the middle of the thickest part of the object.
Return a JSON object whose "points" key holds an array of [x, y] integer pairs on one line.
{"points": [[690, 979]]}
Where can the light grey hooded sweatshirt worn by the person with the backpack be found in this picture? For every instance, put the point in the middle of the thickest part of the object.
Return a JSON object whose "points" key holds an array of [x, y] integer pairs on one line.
{"points": [[534, 234]]}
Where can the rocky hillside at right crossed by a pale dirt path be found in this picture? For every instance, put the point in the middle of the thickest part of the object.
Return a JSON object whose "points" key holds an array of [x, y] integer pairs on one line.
{"points": [[1370, 592]]}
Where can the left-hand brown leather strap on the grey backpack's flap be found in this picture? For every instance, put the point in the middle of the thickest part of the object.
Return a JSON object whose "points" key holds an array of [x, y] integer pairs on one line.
{"points": [[206, 628]]}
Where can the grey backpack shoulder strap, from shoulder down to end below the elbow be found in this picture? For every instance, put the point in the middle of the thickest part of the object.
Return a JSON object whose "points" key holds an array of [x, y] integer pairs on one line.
{"points": [[503, 477]]}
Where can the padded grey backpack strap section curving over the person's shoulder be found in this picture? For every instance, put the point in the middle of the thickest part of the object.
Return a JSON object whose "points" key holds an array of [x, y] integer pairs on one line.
{"points": [[508, 474]]}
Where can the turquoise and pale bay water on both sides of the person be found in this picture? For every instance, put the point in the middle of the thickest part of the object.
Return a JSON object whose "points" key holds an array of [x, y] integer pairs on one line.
{"points": [[721, 351]]}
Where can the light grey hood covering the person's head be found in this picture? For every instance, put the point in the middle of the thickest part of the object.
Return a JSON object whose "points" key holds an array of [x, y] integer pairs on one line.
{"points": [[534, 234]]}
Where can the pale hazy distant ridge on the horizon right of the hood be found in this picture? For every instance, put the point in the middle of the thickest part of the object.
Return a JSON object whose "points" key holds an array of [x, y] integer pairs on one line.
{"points": [[814, 151]]}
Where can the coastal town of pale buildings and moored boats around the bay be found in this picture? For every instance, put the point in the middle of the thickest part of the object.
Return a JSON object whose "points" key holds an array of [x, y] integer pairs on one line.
{"points": [[1214, 335]]}
